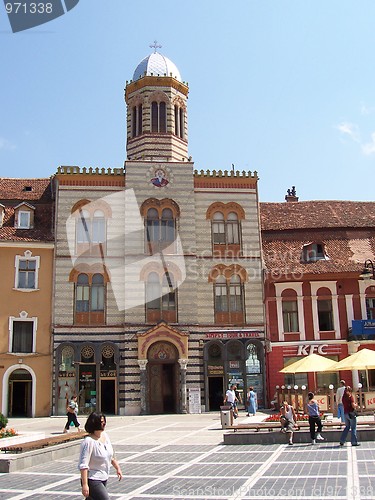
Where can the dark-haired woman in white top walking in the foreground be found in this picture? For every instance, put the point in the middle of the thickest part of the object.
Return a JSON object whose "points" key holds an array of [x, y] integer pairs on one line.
{"points": [[96, 457]]}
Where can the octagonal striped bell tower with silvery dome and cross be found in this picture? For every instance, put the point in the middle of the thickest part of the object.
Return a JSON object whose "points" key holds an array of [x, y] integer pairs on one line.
{"points": [[156, 111]]}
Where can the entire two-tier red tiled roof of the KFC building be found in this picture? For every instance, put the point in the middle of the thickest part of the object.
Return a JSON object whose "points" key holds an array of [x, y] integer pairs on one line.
{"points": [[346, 229]]}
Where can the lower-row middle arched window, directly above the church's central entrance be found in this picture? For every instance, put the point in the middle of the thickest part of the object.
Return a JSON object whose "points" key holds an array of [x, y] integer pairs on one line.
{"points": [[161, 297]]}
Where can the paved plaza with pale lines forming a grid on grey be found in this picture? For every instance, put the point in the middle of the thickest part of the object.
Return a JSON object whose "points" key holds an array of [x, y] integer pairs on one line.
{"points": [[183, 457]]}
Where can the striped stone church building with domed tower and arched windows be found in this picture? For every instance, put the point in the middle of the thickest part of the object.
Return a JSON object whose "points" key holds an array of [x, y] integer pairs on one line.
{"points": [[158, 299]]}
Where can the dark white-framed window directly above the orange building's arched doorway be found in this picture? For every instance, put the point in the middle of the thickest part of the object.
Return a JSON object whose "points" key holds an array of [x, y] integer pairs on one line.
{"points": [[22, 334]]}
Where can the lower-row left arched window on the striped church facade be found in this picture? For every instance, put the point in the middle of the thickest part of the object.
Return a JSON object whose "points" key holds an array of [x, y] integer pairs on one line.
{"points": [[90, 299]]}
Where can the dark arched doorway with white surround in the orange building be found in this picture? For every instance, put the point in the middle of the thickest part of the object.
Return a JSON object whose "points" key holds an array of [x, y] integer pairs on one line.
{"points": [[20, 394]]}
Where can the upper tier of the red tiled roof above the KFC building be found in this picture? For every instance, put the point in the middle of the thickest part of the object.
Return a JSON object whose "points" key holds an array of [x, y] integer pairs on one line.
{"points": [[317, 214]]}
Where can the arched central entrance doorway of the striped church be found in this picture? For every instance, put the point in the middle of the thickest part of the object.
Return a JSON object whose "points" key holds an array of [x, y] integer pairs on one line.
{"points": [[163, 378]]}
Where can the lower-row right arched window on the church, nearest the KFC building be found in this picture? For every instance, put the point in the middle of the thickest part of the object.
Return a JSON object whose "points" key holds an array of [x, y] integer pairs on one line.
{"points": [[229, 300]]}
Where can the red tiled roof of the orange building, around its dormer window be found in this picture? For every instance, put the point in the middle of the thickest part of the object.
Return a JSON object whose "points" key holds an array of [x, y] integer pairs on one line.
{"points": [[40, 196]]}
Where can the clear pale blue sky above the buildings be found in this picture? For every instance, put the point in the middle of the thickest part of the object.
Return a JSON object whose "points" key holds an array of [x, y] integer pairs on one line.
{"points": [[284, 87]]}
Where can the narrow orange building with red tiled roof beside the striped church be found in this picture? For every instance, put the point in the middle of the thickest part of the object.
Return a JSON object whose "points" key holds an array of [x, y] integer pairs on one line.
{"points": [[26, 256]]}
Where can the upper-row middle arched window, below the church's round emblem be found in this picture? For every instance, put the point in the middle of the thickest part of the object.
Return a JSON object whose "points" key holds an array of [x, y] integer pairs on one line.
{"points": [[160, 226]]}
